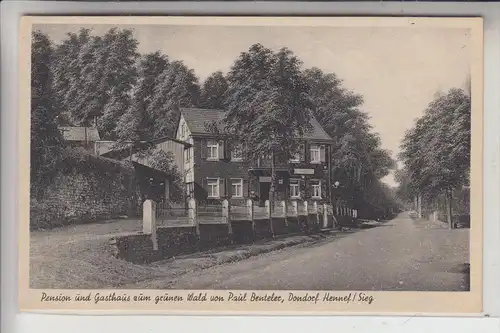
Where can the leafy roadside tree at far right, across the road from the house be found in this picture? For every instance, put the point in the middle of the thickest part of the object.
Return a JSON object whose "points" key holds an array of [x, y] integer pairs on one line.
{"points": [[436, 151]]}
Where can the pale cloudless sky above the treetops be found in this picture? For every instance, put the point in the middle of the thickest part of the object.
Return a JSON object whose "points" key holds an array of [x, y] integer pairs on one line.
{"points": [[397, 70]]}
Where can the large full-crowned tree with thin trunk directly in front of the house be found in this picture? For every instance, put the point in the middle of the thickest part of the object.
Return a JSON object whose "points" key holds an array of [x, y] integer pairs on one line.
{"points": [[267, 106]]}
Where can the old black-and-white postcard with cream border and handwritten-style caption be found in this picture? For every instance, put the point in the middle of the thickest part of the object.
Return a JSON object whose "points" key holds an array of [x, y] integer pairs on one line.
{"points": [[251, 165]]}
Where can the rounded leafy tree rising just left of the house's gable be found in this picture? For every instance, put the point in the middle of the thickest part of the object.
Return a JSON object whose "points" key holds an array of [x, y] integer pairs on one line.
{"points": [[177, 87]]}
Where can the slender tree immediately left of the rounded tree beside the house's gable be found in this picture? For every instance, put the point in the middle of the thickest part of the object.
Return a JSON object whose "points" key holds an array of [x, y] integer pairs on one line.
{"points": [[137, 123]]}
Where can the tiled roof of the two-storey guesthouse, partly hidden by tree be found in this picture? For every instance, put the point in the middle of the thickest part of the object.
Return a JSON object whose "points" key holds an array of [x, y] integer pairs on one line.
{"points": [[197, 118]]}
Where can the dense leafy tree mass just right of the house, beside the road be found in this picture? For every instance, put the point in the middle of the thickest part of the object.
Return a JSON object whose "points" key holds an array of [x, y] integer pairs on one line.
{"points": [[357, 159]]}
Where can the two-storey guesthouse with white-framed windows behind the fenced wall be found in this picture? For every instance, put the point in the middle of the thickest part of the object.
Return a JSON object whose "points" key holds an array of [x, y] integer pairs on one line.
{"points": [[215, 169]]}
